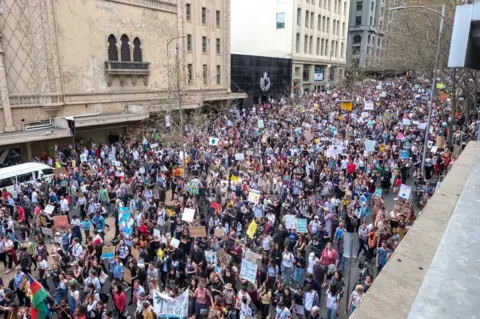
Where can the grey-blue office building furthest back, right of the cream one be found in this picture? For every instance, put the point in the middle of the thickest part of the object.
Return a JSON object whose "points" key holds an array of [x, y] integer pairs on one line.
{"points": [[366, 30]]}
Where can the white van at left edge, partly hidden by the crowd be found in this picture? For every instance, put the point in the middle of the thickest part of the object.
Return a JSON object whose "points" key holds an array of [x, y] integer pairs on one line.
{"points": [[22, 174]]}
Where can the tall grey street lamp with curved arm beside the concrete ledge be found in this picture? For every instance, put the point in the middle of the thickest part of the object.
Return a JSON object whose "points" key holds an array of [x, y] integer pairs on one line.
{"points": [[434, 81]]}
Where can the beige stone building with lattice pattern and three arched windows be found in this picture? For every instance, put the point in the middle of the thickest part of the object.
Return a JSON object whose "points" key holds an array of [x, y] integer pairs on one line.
{"points": [[107, 64]]}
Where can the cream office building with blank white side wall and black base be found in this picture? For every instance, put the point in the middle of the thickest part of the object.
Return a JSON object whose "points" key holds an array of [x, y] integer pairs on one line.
{"points": [[308, 37]]}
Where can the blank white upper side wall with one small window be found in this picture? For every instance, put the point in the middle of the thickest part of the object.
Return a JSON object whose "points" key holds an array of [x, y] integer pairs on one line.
{"points": [[253, 27]]}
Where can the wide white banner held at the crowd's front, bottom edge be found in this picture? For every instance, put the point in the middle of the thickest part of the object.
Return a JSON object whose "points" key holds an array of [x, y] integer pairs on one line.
{"points": [[165, 306]]}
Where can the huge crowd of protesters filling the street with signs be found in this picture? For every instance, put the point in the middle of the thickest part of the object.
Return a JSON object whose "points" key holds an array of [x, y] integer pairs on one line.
{"points": [[285, 182]]}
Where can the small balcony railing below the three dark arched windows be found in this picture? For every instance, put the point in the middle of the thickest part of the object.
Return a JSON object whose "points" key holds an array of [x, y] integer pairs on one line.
{"points": [[124, 69]]}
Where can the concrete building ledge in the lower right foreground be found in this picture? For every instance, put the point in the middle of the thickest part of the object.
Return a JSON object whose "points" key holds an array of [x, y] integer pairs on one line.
{"points": [[435, 272]]}
